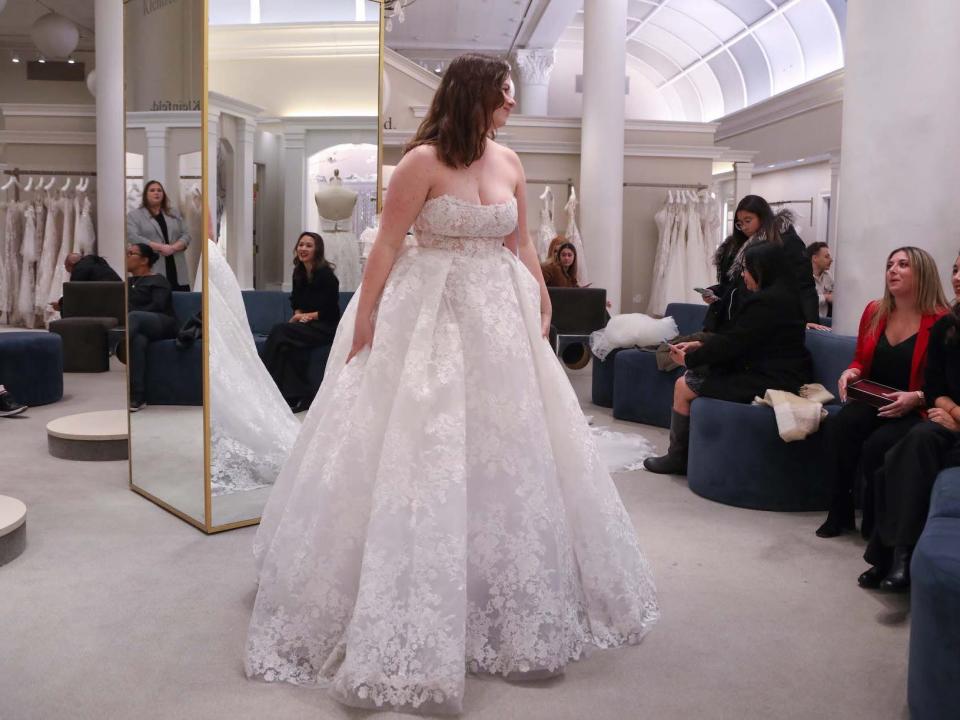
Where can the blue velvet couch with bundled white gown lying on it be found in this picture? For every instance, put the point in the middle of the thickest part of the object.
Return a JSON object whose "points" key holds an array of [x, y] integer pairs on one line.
{"points": [[639, 395]]}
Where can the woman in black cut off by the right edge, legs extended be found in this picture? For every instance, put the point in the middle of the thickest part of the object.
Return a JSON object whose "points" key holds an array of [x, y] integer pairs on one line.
{"points": [[902, 486]]}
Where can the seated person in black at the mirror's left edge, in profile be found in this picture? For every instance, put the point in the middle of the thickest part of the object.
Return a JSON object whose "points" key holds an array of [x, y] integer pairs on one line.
{"points": [[150, 315]]}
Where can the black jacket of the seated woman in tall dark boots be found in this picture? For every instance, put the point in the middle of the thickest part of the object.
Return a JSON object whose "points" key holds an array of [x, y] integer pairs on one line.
{"points": [[760, 348]]}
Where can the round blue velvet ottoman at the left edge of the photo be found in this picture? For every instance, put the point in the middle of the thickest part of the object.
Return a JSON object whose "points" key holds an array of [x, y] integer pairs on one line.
{"points": [[31, 366]]}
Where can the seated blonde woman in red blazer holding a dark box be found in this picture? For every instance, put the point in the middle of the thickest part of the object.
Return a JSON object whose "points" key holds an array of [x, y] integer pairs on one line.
{"points": [[891, 350]]}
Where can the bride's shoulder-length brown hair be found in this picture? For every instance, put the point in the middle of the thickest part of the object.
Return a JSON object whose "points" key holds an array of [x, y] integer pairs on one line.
{"points": [[460, 118]]}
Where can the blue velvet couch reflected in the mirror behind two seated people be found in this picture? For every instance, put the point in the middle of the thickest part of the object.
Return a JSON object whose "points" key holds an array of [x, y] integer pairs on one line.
{"points": [[175, 377]]}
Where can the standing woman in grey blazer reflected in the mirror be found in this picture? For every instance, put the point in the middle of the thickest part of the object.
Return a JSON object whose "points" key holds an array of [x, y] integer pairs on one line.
{"points": [[164, 230]]}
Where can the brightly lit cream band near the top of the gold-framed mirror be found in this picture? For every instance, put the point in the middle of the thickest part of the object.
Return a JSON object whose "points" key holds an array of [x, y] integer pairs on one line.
{"points": [[246, 42]]}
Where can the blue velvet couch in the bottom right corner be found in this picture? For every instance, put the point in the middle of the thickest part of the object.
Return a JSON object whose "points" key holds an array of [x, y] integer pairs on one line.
{"points": [[933, 687]]}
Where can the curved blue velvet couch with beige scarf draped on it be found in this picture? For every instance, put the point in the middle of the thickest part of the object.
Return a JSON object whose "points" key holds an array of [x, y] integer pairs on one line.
{"points": [[737, 457]]}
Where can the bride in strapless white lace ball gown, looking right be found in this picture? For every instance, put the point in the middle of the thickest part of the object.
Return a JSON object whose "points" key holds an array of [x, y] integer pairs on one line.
{"points": [[444, 509]]}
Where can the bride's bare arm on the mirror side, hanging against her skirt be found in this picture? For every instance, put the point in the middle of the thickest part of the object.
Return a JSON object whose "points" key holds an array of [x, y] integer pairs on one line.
{"points": [[409, 185]]}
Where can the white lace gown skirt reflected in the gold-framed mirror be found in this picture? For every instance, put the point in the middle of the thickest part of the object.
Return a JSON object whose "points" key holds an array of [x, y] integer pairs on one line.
{"points": [[252, 427]]}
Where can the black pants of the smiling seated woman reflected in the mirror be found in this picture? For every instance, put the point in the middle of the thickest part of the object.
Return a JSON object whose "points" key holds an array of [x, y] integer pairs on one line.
{"points": [[287, 356]]}
